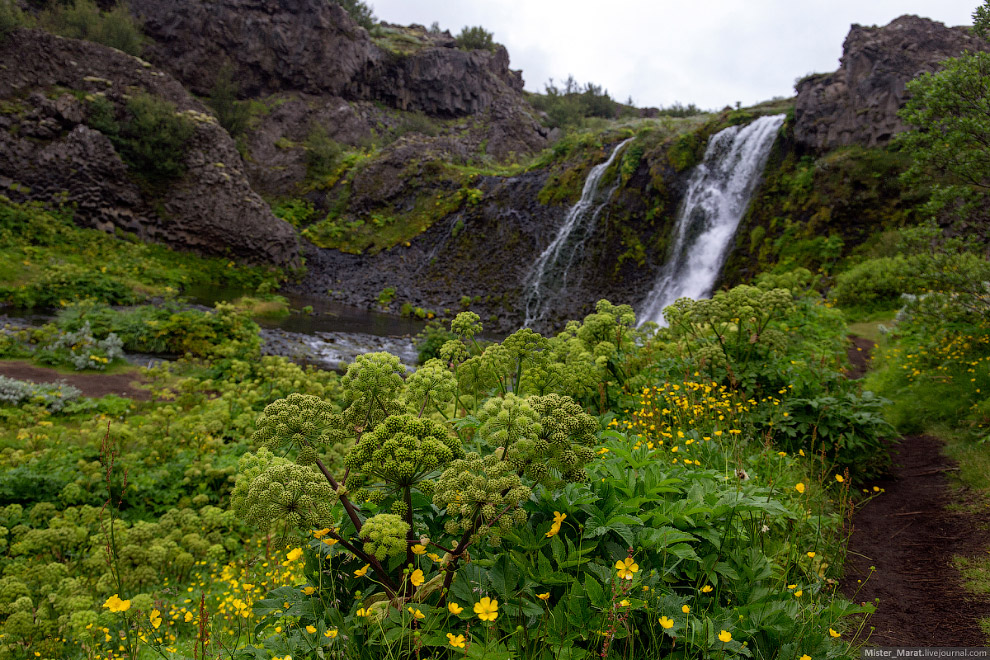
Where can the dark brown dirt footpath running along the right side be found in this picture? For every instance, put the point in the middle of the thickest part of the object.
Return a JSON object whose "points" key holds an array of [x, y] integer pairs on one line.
{"points": [[910, 538]]}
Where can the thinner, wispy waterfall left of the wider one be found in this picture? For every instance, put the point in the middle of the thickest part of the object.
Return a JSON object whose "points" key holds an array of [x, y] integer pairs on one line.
{"points": [[547, 279]]}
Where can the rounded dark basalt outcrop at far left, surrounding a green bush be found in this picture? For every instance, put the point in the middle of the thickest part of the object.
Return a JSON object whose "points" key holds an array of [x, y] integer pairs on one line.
{"points": [[49, 153]]}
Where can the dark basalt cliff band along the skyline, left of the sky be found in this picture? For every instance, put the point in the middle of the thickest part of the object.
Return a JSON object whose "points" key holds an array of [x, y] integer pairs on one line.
{"points": [[314, 47]]}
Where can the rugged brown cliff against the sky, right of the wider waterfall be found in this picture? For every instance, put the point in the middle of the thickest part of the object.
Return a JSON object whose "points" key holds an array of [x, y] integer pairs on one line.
{"points": [[858, 104]]}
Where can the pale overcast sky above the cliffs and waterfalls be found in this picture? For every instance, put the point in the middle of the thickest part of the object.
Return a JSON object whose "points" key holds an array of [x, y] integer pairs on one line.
{"points": [[708, 52]]}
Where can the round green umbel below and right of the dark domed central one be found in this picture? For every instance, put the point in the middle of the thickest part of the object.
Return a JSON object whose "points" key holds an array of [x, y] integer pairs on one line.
{"points": [[484, 486]]}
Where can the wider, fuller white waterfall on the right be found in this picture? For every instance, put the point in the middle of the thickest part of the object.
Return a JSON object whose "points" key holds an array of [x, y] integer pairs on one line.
{"points": [[717, 195]]}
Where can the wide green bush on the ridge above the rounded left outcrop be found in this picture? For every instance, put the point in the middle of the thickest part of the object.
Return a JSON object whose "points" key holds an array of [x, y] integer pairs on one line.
{"points": [[83, 19]]}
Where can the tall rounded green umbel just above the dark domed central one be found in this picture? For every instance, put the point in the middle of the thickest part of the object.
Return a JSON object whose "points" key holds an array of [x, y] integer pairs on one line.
{"points": [[370, 389]]}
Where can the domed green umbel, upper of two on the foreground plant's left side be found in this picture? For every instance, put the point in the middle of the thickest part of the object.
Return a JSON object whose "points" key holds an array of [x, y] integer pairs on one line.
{"points": [[300, 421]]}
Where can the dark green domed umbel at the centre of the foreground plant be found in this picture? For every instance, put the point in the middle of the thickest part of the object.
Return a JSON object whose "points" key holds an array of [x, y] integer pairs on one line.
{"points": [[401, 451]]}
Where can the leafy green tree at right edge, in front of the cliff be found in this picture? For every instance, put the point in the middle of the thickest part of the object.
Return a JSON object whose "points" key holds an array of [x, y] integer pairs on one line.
{"points": [[951, 112]]}
